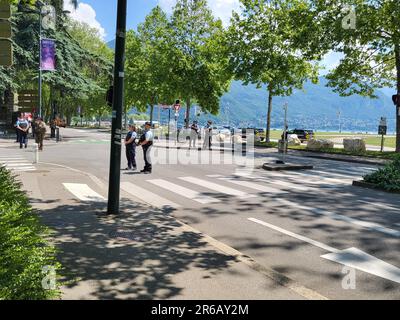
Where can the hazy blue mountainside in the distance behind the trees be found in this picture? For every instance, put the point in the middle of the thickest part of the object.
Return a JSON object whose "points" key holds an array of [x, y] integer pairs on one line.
{"points": [[316, 107]]}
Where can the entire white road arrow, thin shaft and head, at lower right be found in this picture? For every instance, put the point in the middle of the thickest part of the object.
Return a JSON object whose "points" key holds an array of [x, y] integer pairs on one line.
{"points": [[352, 257]]}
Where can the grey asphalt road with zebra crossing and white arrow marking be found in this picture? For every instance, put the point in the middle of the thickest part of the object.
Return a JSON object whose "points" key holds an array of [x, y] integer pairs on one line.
{"points": [[295, 223]]}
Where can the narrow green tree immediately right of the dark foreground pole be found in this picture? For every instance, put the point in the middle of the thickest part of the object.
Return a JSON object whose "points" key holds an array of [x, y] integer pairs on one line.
{"points": [[148, 79]]}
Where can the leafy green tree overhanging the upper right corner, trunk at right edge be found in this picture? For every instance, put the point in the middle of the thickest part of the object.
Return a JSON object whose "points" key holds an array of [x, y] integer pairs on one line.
{"points": [[368, 34]]}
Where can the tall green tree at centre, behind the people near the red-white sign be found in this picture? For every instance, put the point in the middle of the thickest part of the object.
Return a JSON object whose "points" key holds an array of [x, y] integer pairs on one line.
{"points": [[198, 68]]}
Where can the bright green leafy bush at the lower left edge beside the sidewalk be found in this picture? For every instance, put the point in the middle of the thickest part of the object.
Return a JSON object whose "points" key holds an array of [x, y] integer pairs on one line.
{"points": [[24, 249]]}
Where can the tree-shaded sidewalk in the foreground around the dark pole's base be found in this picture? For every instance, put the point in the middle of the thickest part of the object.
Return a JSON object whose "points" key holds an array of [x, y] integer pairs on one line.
{"points": [[143, 253]]}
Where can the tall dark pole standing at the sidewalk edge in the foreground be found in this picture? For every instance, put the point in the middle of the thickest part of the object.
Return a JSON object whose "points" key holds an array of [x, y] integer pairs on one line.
{"points": [[118, 99]]}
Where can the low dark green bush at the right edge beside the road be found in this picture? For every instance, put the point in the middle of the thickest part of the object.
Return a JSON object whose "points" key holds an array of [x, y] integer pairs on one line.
{"points": [[388, 177]]}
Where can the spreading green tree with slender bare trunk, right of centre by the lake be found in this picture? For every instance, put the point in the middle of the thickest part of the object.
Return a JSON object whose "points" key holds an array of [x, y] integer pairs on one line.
{"points": [[262, 50]]}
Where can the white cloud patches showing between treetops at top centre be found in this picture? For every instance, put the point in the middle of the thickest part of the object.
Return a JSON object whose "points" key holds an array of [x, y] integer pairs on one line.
{"points": [[221, 8]]}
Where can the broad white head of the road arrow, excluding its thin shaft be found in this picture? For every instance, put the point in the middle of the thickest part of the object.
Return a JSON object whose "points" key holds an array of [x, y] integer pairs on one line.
{"points": [[355, 258]]}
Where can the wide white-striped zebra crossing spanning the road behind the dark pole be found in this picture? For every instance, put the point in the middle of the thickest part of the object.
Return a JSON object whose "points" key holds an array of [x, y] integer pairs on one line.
{"points": [[185, 191]]}
